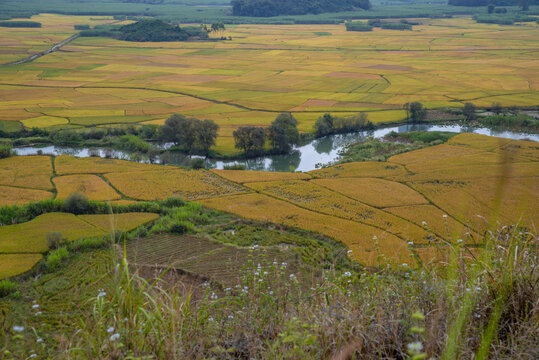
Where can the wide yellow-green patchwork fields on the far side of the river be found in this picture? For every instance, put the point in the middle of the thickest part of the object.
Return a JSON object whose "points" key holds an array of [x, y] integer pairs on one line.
{"points": [[265, 69]]}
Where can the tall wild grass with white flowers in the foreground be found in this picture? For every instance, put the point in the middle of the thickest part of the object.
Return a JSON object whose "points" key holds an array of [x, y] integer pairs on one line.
{"points": [[481, 304]]}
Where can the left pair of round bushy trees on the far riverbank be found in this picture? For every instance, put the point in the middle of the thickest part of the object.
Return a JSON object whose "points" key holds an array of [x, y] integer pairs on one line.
{"points": [[192, 135]]}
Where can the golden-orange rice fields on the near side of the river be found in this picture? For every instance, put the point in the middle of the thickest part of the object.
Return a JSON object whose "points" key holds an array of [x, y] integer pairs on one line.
{"points": [[410, 204]]}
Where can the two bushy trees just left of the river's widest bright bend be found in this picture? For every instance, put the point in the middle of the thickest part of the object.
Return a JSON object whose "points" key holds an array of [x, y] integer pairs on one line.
{"points": [[282, 135]]}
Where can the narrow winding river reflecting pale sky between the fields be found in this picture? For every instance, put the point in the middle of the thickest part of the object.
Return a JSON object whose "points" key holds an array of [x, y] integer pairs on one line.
{"points": [[308, 157]]}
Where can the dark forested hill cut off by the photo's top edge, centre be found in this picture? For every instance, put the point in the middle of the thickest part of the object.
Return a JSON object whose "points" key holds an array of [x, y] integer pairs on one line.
{"points": [[266, 8]]}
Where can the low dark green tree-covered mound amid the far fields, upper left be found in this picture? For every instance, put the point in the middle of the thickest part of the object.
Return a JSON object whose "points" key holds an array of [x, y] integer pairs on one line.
{"points": [[148, 30]]}
